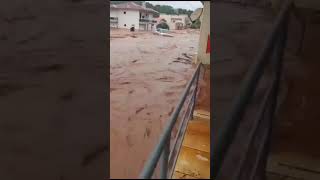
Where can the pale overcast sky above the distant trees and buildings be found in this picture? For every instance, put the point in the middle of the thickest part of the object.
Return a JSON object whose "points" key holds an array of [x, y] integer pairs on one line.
{"points": [[190, 5]]}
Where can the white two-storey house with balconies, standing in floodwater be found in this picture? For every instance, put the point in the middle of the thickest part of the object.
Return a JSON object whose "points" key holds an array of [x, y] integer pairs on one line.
{"points": [[130, 14]]}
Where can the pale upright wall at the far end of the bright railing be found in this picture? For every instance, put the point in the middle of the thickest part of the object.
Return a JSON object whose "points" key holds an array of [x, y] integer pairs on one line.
{"points": [[204, 32]]}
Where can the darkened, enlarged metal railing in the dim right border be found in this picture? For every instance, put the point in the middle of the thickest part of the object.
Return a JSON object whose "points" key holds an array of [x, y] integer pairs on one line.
{"points": [[252, 146]]}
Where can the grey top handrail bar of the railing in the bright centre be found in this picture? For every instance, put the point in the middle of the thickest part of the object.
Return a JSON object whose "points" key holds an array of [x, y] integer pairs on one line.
{"points": [[155, 155]]}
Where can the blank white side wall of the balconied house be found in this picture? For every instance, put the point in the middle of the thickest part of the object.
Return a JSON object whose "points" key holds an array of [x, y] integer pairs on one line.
{"points": [[130, 18]]}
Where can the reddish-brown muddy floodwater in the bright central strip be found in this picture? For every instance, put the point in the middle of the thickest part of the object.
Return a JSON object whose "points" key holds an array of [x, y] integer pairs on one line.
{"points": [[147, 76]]}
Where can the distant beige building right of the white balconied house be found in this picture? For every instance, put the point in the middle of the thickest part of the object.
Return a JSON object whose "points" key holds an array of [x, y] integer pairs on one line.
{"points": [[175, 21]]}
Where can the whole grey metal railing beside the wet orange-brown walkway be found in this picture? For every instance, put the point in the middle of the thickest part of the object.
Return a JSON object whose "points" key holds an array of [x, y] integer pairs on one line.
{"points": [[162, 149]]}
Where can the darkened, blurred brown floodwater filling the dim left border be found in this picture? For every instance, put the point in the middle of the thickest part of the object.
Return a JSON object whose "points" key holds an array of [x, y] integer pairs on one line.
{"points": [[53, 70]]}
